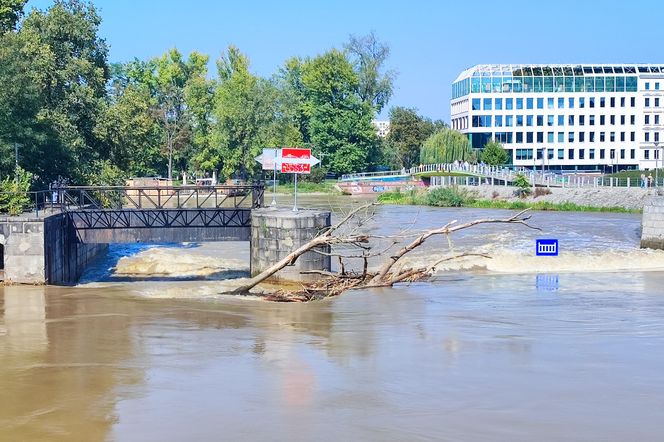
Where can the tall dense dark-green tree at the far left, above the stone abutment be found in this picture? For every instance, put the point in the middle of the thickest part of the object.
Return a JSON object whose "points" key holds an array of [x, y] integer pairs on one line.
{"points": [[53, 75]]}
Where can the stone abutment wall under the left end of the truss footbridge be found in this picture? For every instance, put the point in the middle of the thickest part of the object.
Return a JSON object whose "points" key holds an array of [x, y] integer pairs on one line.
{"points": [[43, 250]]}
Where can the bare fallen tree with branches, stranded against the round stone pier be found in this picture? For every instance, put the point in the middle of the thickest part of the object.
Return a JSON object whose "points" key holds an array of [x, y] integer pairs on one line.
{"points": [[349, 232]]}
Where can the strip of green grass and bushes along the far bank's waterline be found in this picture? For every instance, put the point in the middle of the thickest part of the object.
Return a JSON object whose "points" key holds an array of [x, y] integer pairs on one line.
{"points": [[459, 197]]}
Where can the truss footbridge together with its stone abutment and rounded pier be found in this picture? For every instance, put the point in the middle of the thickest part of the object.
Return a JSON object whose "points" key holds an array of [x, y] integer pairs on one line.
{"points": [[79, 222]]}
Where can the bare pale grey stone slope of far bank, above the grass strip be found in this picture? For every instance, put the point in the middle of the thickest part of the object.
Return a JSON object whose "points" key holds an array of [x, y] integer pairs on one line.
{"points": [[630, 198]]}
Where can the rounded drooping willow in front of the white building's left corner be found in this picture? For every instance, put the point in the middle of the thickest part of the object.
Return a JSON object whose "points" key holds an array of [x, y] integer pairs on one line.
{"points": [[446, 146]]}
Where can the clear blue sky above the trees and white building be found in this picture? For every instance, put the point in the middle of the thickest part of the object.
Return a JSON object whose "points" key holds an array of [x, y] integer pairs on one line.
{"points": [[431, 41]]}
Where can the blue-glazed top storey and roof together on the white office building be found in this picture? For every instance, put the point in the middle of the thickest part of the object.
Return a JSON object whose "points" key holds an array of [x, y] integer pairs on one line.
{"points": [[549, 79]]}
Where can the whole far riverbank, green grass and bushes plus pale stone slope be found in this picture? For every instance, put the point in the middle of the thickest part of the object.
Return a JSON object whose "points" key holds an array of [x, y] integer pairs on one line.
{"points": [[604, 199]]}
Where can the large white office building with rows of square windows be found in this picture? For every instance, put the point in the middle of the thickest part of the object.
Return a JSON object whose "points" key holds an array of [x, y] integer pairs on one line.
{"points": [[565, 117]]}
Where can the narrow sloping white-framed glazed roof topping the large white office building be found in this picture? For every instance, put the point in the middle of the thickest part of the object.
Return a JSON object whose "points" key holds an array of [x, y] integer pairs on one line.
{"points": [[539, 70]]}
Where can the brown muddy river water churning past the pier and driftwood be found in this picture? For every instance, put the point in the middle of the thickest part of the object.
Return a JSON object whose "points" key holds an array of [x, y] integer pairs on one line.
{"points": [[513, 348]]}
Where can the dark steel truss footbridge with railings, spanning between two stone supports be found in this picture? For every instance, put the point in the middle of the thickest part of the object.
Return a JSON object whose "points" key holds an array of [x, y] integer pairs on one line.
{"points": [[159, 214]]}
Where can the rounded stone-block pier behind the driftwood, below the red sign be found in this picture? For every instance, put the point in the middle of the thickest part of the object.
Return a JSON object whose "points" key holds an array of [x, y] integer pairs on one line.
{"points": [[275, 233]]}
